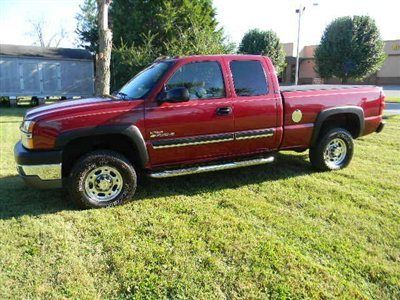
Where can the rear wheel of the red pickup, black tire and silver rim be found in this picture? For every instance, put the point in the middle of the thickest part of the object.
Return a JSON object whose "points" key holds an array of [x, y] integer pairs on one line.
{"points": [[326, 144]]}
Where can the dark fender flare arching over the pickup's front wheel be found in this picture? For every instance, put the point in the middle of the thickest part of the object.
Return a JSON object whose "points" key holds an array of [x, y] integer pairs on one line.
{"points": [[131, 131]]}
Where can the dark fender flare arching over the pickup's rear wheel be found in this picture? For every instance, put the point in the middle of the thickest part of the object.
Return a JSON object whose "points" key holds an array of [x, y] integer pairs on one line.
{"points": [[323, 115]]}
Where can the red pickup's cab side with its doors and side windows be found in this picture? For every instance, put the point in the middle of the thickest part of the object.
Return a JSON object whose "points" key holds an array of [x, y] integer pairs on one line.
{"points": [[202, 110]]}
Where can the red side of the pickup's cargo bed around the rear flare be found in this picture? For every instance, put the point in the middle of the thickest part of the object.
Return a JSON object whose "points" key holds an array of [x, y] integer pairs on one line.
{"points": [[310, 100]]}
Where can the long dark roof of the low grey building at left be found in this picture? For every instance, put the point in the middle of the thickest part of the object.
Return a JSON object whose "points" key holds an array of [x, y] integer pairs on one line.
{"points": [[51, 53]]}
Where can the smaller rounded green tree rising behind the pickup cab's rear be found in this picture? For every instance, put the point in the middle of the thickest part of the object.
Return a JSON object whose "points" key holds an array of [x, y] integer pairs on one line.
{"points": [[264, 43]]}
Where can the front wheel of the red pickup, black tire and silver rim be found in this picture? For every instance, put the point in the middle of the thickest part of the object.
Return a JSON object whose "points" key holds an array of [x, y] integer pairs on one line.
{"points": [[79, 184]]}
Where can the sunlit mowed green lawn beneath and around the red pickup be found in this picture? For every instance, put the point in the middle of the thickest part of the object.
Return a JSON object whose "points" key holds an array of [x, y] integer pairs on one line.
{"points": [[274, 231]]}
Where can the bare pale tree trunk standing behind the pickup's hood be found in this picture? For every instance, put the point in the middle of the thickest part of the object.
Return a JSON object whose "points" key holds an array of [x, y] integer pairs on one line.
{"points": [[103, 58]]}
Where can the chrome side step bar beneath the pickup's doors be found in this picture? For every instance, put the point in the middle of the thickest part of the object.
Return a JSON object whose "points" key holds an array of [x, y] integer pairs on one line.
{"points": [[208, 168]]}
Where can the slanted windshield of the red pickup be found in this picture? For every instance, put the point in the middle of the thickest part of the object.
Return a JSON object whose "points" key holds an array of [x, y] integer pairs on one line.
{"points": [[143, 82]]}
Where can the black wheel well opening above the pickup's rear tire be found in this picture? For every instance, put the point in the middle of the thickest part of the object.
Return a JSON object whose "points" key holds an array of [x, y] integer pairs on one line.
{"points": [[347, 121]]}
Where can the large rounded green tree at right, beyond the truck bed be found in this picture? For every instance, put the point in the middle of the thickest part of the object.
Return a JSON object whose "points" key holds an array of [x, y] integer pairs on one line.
{"points": [[351, 47]]}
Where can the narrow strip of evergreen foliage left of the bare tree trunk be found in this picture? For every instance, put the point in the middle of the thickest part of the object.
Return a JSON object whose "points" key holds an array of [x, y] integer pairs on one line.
{"points": [[87, 29]]}
